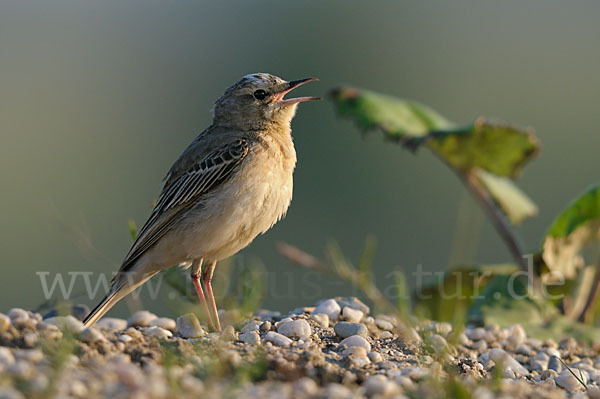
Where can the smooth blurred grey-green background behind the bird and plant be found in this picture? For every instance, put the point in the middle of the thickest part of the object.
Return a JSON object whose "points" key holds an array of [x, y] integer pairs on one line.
{"points": [[98, 98]]}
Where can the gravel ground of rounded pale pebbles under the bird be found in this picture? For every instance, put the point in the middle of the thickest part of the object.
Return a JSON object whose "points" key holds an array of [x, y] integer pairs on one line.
{"points": [[332, 350]]}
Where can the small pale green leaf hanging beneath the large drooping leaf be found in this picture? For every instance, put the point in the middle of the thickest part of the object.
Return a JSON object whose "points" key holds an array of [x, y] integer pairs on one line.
{"points": [[514, 202]]}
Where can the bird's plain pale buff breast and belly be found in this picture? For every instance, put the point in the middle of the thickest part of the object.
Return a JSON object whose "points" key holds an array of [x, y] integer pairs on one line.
{"points": [[258, 196]]}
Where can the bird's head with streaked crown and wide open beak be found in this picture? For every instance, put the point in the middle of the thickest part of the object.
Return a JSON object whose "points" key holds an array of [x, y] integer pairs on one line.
{"points": [[256, 102]]}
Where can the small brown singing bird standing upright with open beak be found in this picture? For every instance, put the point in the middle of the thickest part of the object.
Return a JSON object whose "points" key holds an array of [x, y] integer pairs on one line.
{"points": [[232, 183]]}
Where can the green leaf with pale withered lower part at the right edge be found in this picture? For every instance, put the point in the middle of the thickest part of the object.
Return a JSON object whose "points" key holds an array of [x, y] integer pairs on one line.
{"points": [[577, 227]]}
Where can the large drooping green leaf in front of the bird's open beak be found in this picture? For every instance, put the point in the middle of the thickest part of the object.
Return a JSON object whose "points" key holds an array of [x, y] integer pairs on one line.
{"points": [[496, 147]]}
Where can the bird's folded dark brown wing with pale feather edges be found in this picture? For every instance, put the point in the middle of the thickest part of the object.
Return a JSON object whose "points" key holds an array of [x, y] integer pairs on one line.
{"points": [[182, 192]]}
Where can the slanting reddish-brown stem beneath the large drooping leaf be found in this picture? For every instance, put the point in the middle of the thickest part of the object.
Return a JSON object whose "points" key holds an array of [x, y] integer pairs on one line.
{"points": [[498, 219]]}
